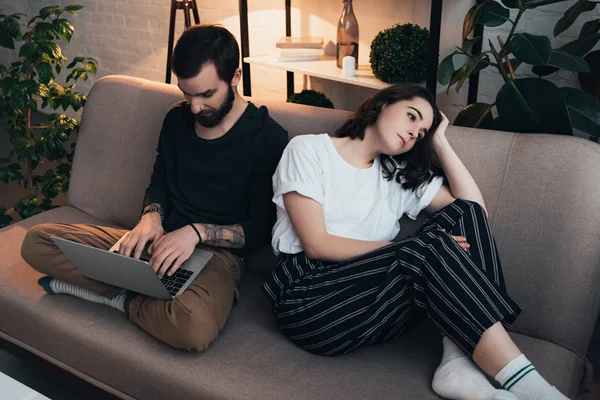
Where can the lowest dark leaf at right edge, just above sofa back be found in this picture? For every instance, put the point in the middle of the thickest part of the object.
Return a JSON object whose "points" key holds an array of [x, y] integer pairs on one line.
{"points": [[584, 110]]}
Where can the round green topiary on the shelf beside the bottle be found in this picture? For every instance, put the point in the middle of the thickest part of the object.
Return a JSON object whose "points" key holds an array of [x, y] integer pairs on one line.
{"points": [[399, 54]]}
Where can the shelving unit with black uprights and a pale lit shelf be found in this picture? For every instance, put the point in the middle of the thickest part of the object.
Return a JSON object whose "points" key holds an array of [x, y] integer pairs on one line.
{"points": [[322, 69]]}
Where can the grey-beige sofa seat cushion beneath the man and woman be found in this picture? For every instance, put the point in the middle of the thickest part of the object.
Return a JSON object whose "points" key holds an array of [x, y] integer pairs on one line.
{"points": [[249, 360]]}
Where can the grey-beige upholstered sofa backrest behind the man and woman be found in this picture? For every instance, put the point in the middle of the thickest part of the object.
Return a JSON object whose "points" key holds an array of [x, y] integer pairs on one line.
{"points": [[542, 193]]}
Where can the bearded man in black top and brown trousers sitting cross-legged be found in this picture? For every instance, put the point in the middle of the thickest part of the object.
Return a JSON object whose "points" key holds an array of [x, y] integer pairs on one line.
{"points": [[211, 188]]}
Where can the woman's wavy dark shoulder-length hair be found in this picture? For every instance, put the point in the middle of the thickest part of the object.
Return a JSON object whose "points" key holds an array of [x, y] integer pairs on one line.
{"points": [[421, 159]]}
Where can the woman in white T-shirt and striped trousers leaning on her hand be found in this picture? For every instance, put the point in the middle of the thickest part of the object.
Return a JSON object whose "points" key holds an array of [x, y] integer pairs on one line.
{"points": [[341, 283]]}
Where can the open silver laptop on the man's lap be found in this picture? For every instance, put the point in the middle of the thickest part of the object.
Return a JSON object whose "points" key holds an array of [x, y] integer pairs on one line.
{"points": [[129, 273]]}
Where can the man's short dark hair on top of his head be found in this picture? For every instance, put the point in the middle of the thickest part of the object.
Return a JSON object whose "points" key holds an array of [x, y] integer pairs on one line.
{"points": [[200, 44]]}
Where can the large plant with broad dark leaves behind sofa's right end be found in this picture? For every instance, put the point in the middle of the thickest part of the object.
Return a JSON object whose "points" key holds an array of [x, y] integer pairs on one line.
{"points": [[530, 104]]}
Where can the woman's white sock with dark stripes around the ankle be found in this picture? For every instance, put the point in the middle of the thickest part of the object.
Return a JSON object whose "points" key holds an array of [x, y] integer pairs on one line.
{"points": [[520, 377]]}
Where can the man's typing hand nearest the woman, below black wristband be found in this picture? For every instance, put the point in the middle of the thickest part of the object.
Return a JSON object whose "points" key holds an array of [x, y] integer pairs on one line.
{"points": [[172, 250]]}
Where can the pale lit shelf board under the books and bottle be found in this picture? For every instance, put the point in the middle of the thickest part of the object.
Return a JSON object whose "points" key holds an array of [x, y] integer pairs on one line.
{"points": [[325, 68]]}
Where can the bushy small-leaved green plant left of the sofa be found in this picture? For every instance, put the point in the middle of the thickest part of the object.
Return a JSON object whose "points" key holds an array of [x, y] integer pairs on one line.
{"points": [[28, 84]]}
